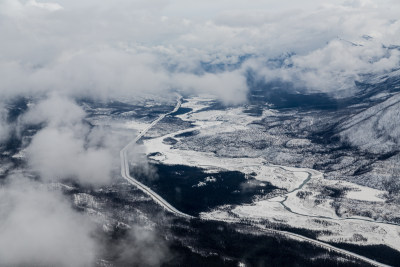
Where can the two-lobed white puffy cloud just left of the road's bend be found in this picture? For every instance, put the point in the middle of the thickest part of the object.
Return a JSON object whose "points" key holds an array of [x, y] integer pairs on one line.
{"points": [[65, 147]]}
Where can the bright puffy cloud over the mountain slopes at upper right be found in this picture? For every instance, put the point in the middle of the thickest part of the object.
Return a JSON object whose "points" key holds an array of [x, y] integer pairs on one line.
{"points": [[334, 68]]}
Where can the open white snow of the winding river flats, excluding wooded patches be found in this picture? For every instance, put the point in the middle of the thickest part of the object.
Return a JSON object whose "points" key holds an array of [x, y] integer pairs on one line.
{"points": [[308, 200]]}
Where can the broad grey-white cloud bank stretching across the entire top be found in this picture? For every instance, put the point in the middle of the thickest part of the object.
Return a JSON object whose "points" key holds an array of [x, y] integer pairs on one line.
{"points": [[131, 47]]}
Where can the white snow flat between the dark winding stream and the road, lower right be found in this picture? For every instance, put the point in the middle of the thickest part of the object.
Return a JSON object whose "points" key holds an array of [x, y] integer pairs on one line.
{"points": [[340, 230]]}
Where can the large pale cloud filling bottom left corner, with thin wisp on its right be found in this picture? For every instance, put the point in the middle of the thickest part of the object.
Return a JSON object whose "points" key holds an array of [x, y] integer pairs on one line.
{"points": [[39, 227]]}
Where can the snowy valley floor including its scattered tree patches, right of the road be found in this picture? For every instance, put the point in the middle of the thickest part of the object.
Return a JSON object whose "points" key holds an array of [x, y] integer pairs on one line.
{"points": [[335, 210]]}
